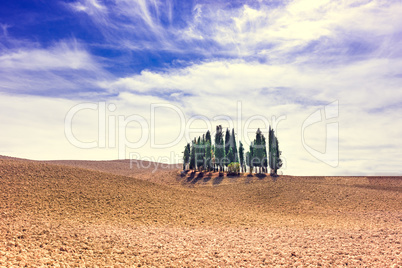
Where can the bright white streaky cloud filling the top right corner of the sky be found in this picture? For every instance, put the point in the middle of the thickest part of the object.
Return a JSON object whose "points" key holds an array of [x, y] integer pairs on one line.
{"points": [[282, 33]]}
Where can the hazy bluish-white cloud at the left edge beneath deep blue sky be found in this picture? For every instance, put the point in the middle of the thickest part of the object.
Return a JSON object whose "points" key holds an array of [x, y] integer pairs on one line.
{"points": [[61, 70]]}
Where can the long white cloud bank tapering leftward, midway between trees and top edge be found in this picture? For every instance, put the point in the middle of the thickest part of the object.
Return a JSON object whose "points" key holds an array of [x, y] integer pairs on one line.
{"points": [[299, 83]]}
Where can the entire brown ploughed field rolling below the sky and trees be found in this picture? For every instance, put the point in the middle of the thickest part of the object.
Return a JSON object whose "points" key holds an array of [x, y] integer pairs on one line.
{"points": [[104, 213]]}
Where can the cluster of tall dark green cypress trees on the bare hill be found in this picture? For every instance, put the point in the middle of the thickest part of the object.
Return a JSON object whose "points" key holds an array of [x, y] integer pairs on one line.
{"points": [[201, 154]]}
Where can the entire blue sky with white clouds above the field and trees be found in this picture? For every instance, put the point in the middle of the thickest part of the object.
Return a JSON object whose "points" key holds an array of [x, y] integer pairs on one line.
{"points": [[136, 79]]}
